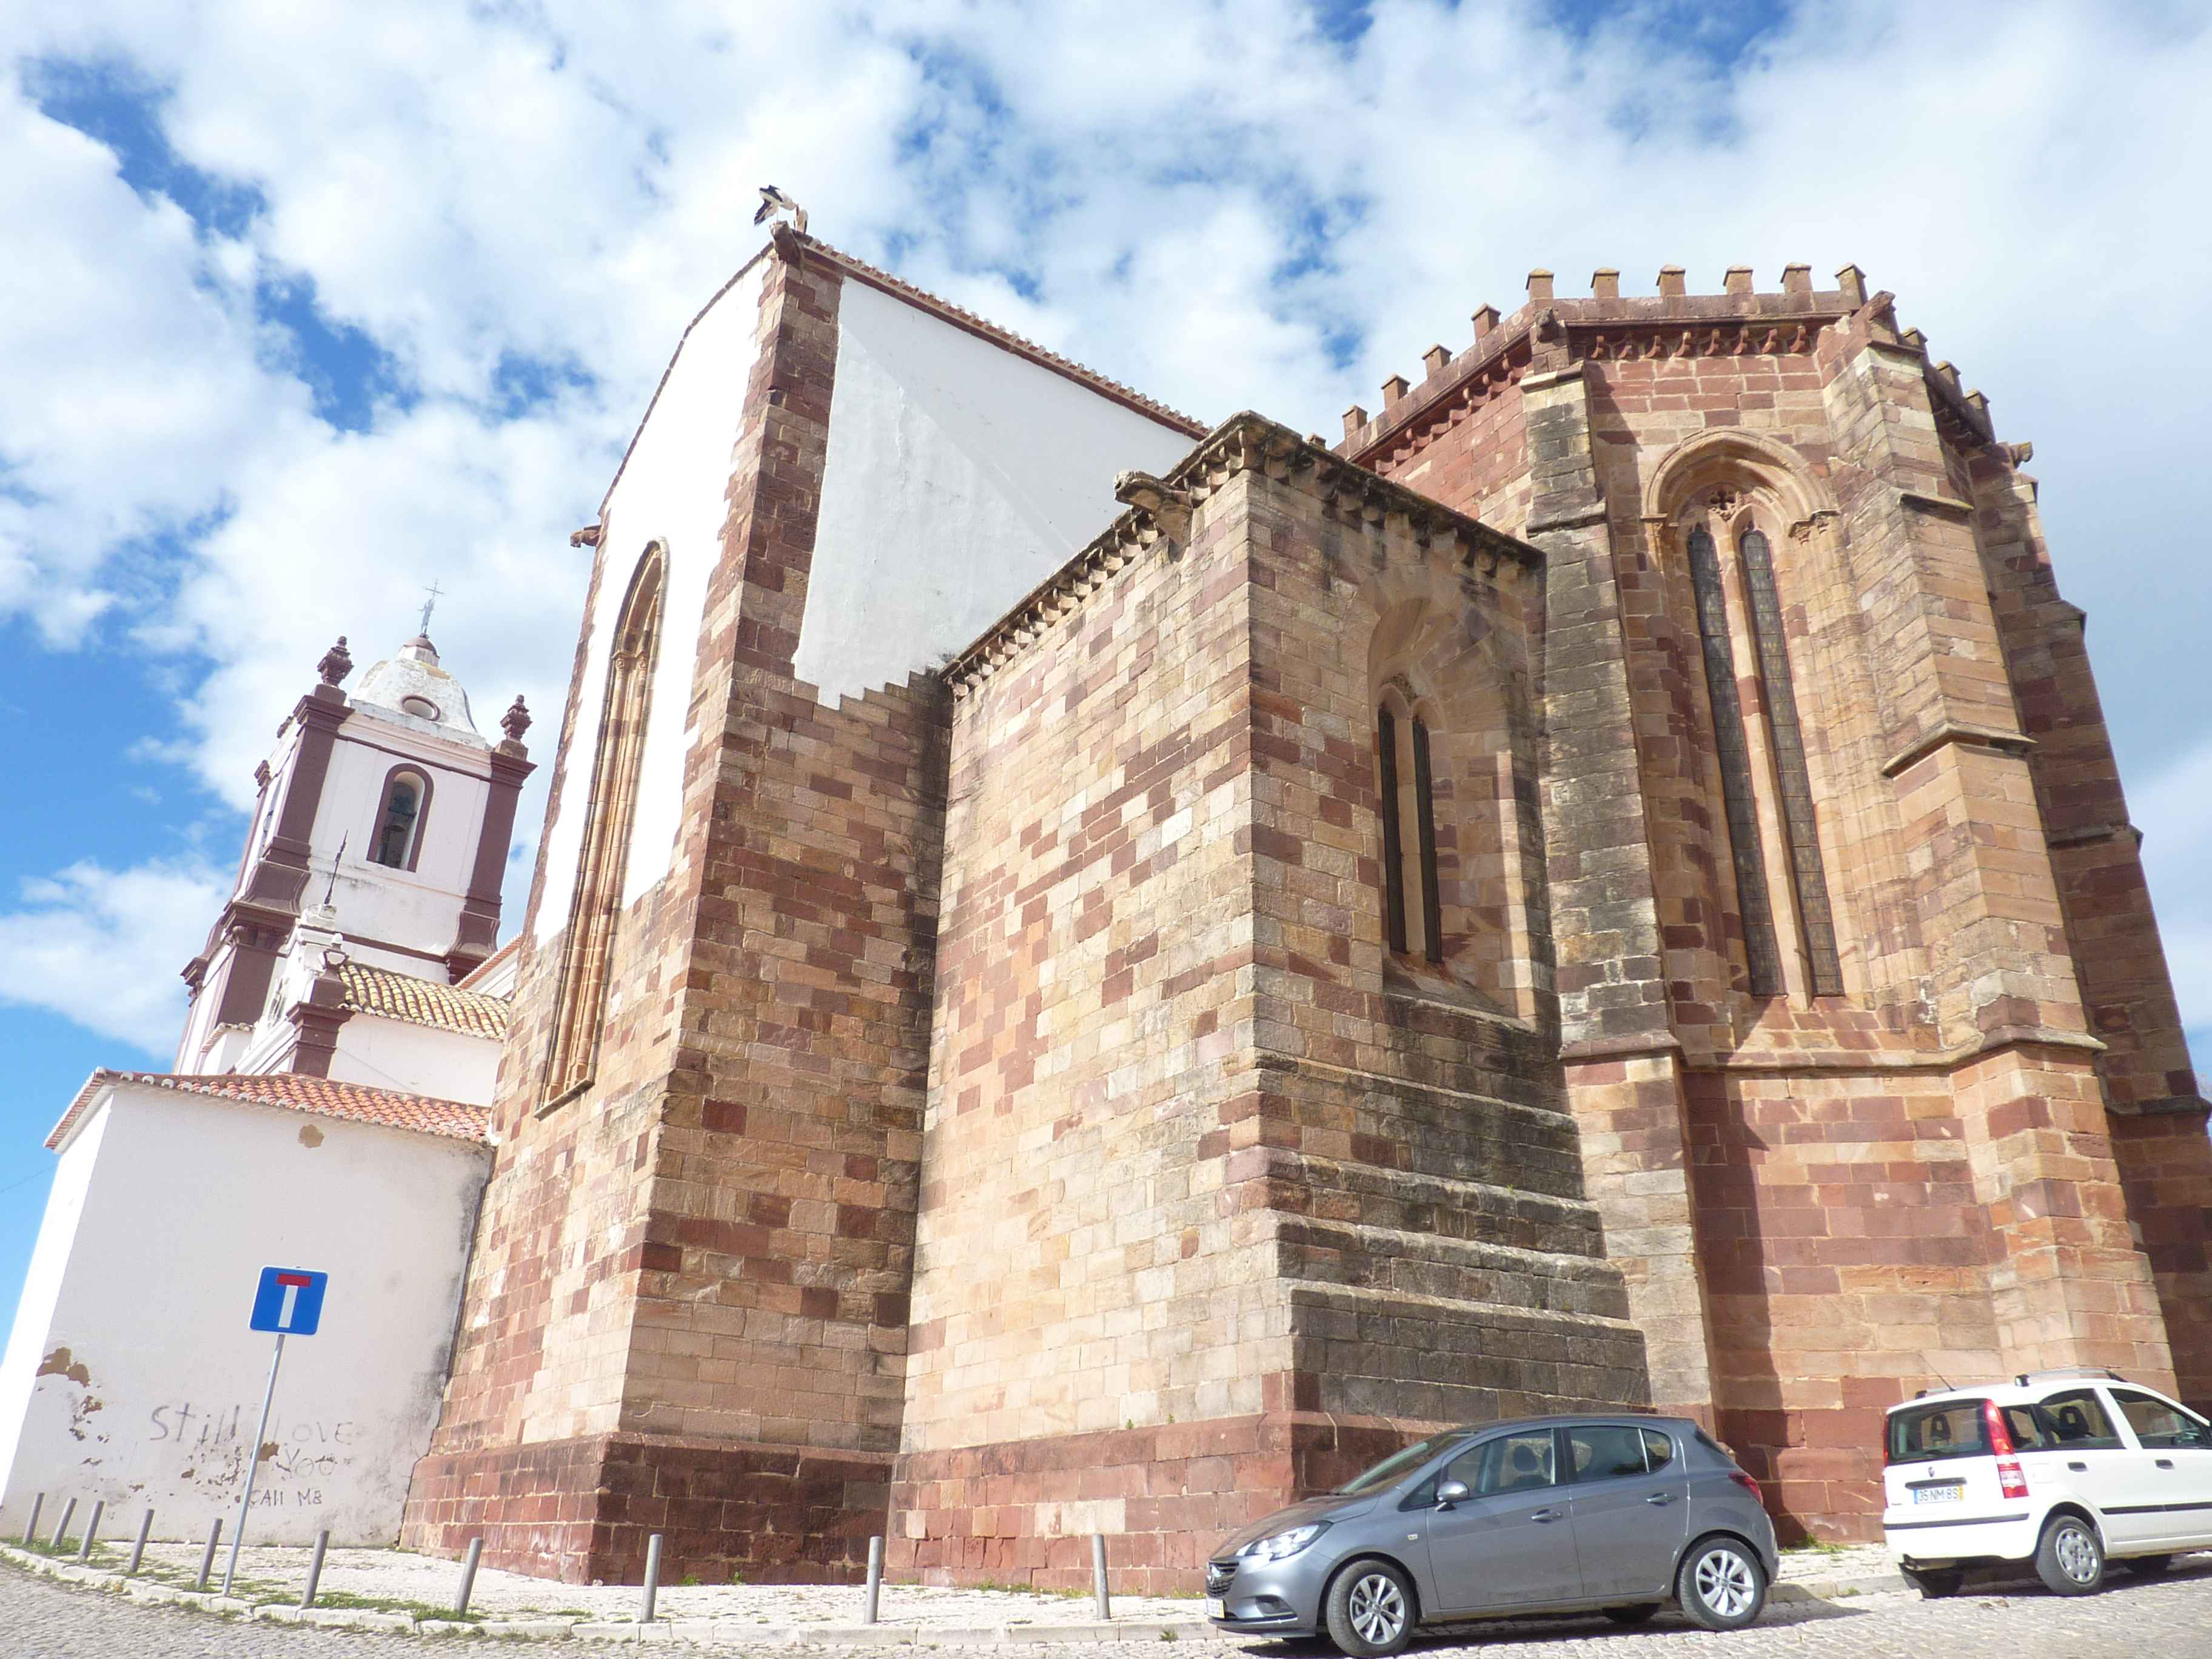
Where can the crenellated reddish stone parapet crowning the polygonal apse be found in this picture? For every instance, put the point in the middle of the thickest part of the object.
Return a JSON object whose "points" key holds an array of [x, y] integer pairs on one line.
{"points": [[1605, 326]]}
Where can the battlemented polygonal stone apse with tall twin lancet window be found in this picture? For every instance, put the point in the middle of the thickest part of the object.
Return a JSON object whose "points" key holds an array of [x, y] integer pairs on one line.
{"points": [[1824, 1202]]}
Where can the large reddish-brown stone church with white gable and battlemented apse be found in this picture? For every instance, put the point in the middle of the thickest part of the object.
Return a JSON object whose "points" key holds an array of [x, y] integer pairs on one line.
{"points": [[1096, 974]]}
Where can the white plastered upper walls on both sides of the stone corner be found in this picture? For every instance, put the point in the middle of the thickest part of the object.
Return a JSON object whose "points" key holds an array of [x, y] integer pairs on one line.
{"points": [[959, 477]]}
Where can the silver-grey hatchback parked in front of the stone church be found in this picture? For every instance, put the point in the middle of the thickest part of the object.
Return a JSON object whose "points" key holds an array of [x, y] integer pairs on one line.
{"points": [[1589, 1514]]}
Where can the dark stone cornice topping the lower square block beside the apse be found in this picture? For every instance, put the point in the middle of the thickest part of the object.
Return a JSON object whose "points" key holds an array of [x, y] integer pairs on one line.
{"points": [[1240, 444]]}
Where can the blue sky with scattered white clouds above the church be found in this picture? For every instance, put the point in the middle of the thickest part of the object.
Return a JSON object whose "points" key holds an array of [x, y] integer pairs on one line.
{"points": [[311, 311]]}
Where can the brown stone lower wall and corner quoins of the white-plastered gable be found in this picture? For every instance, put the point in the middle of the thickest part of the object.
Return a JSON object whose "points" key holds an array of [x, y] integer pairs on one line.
{"points": [[689, 1306]]}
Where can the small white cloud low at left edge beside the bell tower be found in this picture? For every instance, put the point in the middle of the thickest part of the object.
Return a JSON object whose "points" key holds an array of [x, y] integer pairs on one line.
{"points": [[105, 946]]}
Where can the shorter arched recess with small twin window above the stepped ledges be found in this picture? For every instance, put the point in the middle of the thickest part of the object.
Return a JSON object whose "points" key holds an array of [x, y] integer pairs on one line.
{"points": [[1450, 800]]}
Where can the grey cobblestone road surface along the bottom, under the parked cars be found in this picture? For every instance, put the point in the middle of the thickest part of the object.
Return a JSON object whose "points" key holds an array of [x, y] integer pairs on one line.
{"points": [[2167, 1620]]}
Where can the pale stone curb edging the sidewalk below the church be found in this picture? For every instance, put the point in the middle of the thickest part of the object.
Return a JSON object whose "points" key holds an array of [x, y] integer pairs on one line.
{"points": [[724, 1631]]}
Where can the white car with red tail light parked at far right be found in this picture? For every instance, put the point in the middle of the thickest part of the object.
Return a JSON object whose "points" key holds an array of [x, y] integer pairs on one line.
{"points": [[2060, 1468]]}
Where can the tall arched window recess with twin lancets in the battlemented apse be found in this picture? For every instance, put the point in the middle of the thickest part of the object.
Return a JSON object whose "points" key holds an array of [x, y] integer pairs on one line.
{"points": [[1720, 503]]}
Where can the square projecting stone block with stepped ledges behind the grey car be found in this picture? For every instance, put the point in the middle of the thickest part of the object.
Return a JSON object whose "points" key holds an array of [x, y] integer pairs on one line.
{"points": [[1220, 1200]]}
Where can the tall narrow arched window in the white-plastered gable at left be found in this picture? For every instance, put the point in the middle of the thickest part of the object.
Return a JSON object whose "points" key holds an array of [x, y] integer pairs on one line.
{"points": [[609, 815]]}
